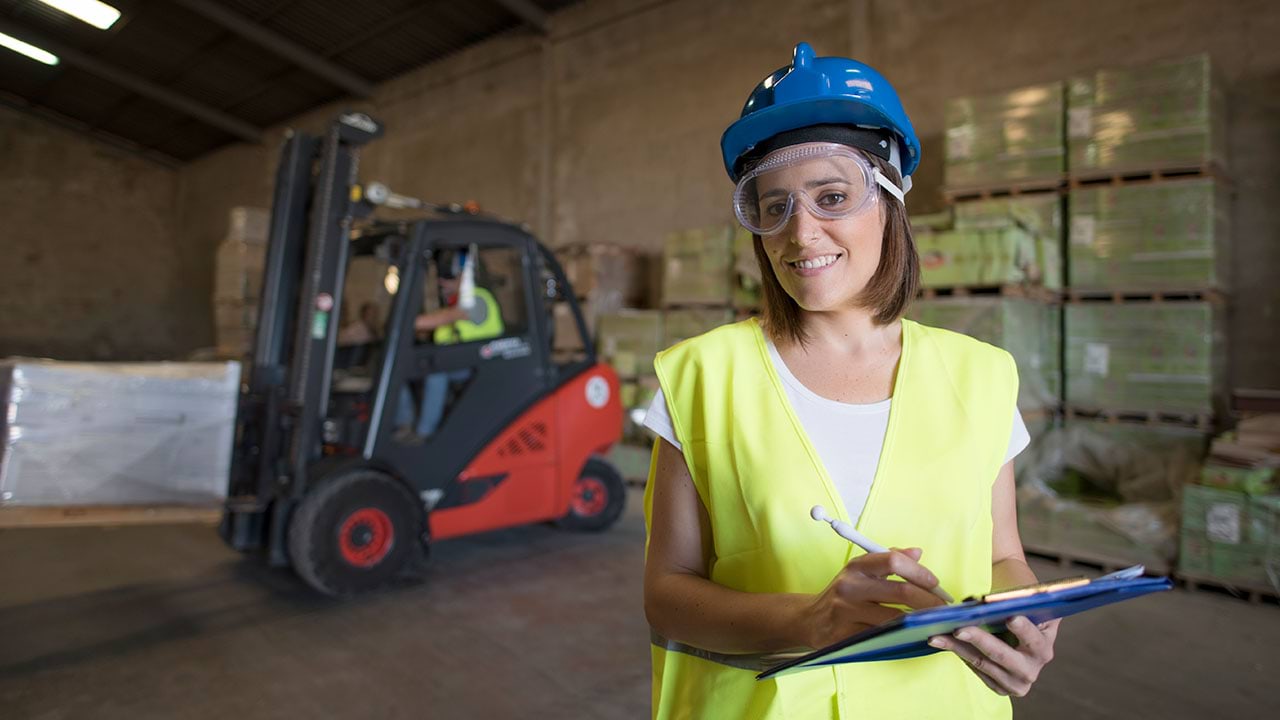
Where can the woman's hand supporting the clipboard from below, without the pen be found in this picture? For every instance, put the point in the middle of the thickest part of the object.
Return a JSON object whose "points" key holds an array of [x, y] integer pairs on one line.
{"points": [[1007, 669]]}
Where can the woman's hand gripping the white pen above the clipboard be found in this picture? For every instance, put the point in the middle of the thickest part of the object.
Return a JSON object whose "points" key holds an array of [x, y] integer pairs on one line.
{"points": [[858, 598]]}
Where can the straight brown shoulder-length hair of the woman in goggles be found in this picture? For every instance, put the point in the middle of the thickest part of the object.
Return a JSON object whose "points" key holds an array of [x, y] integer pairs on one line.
{"points": [[890, 290]]}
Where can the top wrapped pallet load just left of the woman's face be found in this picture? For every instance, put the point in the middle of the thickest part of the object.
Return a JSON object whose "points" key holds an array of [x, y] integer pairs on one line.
{"points": [[698, 267]]}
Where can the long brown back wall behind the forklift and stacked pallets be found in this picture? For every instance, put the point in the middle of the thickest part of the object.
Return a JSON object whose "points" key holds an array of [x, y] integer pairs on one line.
{"points": [[607, 133]]}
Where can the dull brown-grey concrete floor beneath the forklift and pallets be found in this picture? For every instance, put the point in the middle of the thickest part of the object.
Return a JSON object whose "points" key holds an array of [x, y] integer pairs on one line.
{"points": [[532, 623]]}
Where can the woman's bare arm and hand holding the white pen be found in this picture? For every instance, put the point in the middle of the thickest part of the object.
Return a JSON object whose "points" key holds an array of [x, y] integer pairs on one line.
{"points": [[682, 603]]}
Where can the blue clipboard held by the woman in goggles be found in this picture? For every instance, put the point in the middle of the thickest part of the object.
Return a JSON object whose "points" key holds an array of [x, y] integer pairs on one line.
{"points": [[908, 635]]}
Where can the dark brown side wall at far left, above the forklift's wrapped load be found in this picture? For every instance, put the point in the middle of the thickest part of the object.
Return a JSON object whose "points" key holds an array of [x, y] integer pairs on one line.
{"points": [[90, 261]]}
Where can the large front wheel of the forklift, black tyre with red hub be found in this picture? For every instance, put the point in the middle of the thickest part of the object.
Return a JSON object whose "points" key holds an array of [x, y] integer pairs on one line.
{"points": [[355, 532]]}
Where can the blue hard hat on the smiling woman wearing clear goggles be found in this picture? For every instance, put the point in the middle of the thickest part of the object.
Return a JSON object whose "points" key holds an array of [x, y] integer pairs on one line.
{"points": [[820, 92]]}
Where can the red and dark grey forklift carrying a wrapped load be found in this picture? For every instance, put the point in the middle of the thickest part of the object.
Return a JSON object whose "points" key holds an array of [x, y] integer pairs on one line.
{"points": [[321, 480]]}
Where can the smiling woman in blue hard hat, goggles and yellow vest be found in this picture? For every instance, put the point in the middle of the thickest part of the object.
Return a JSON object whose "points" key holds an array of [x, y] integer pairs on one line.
{"points": [[833, 399]]}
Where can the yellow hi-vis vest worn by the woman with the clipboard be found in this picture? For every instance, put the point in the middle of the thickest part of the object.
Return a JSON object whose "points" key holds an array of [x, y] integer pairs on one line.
{"points": [[758, 476]]}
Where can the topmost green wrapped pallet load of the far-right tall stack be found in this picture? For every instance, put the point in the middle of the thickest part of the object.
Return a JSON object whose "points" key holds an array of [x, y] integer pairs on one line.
{"points": [[1168, 115]]}
